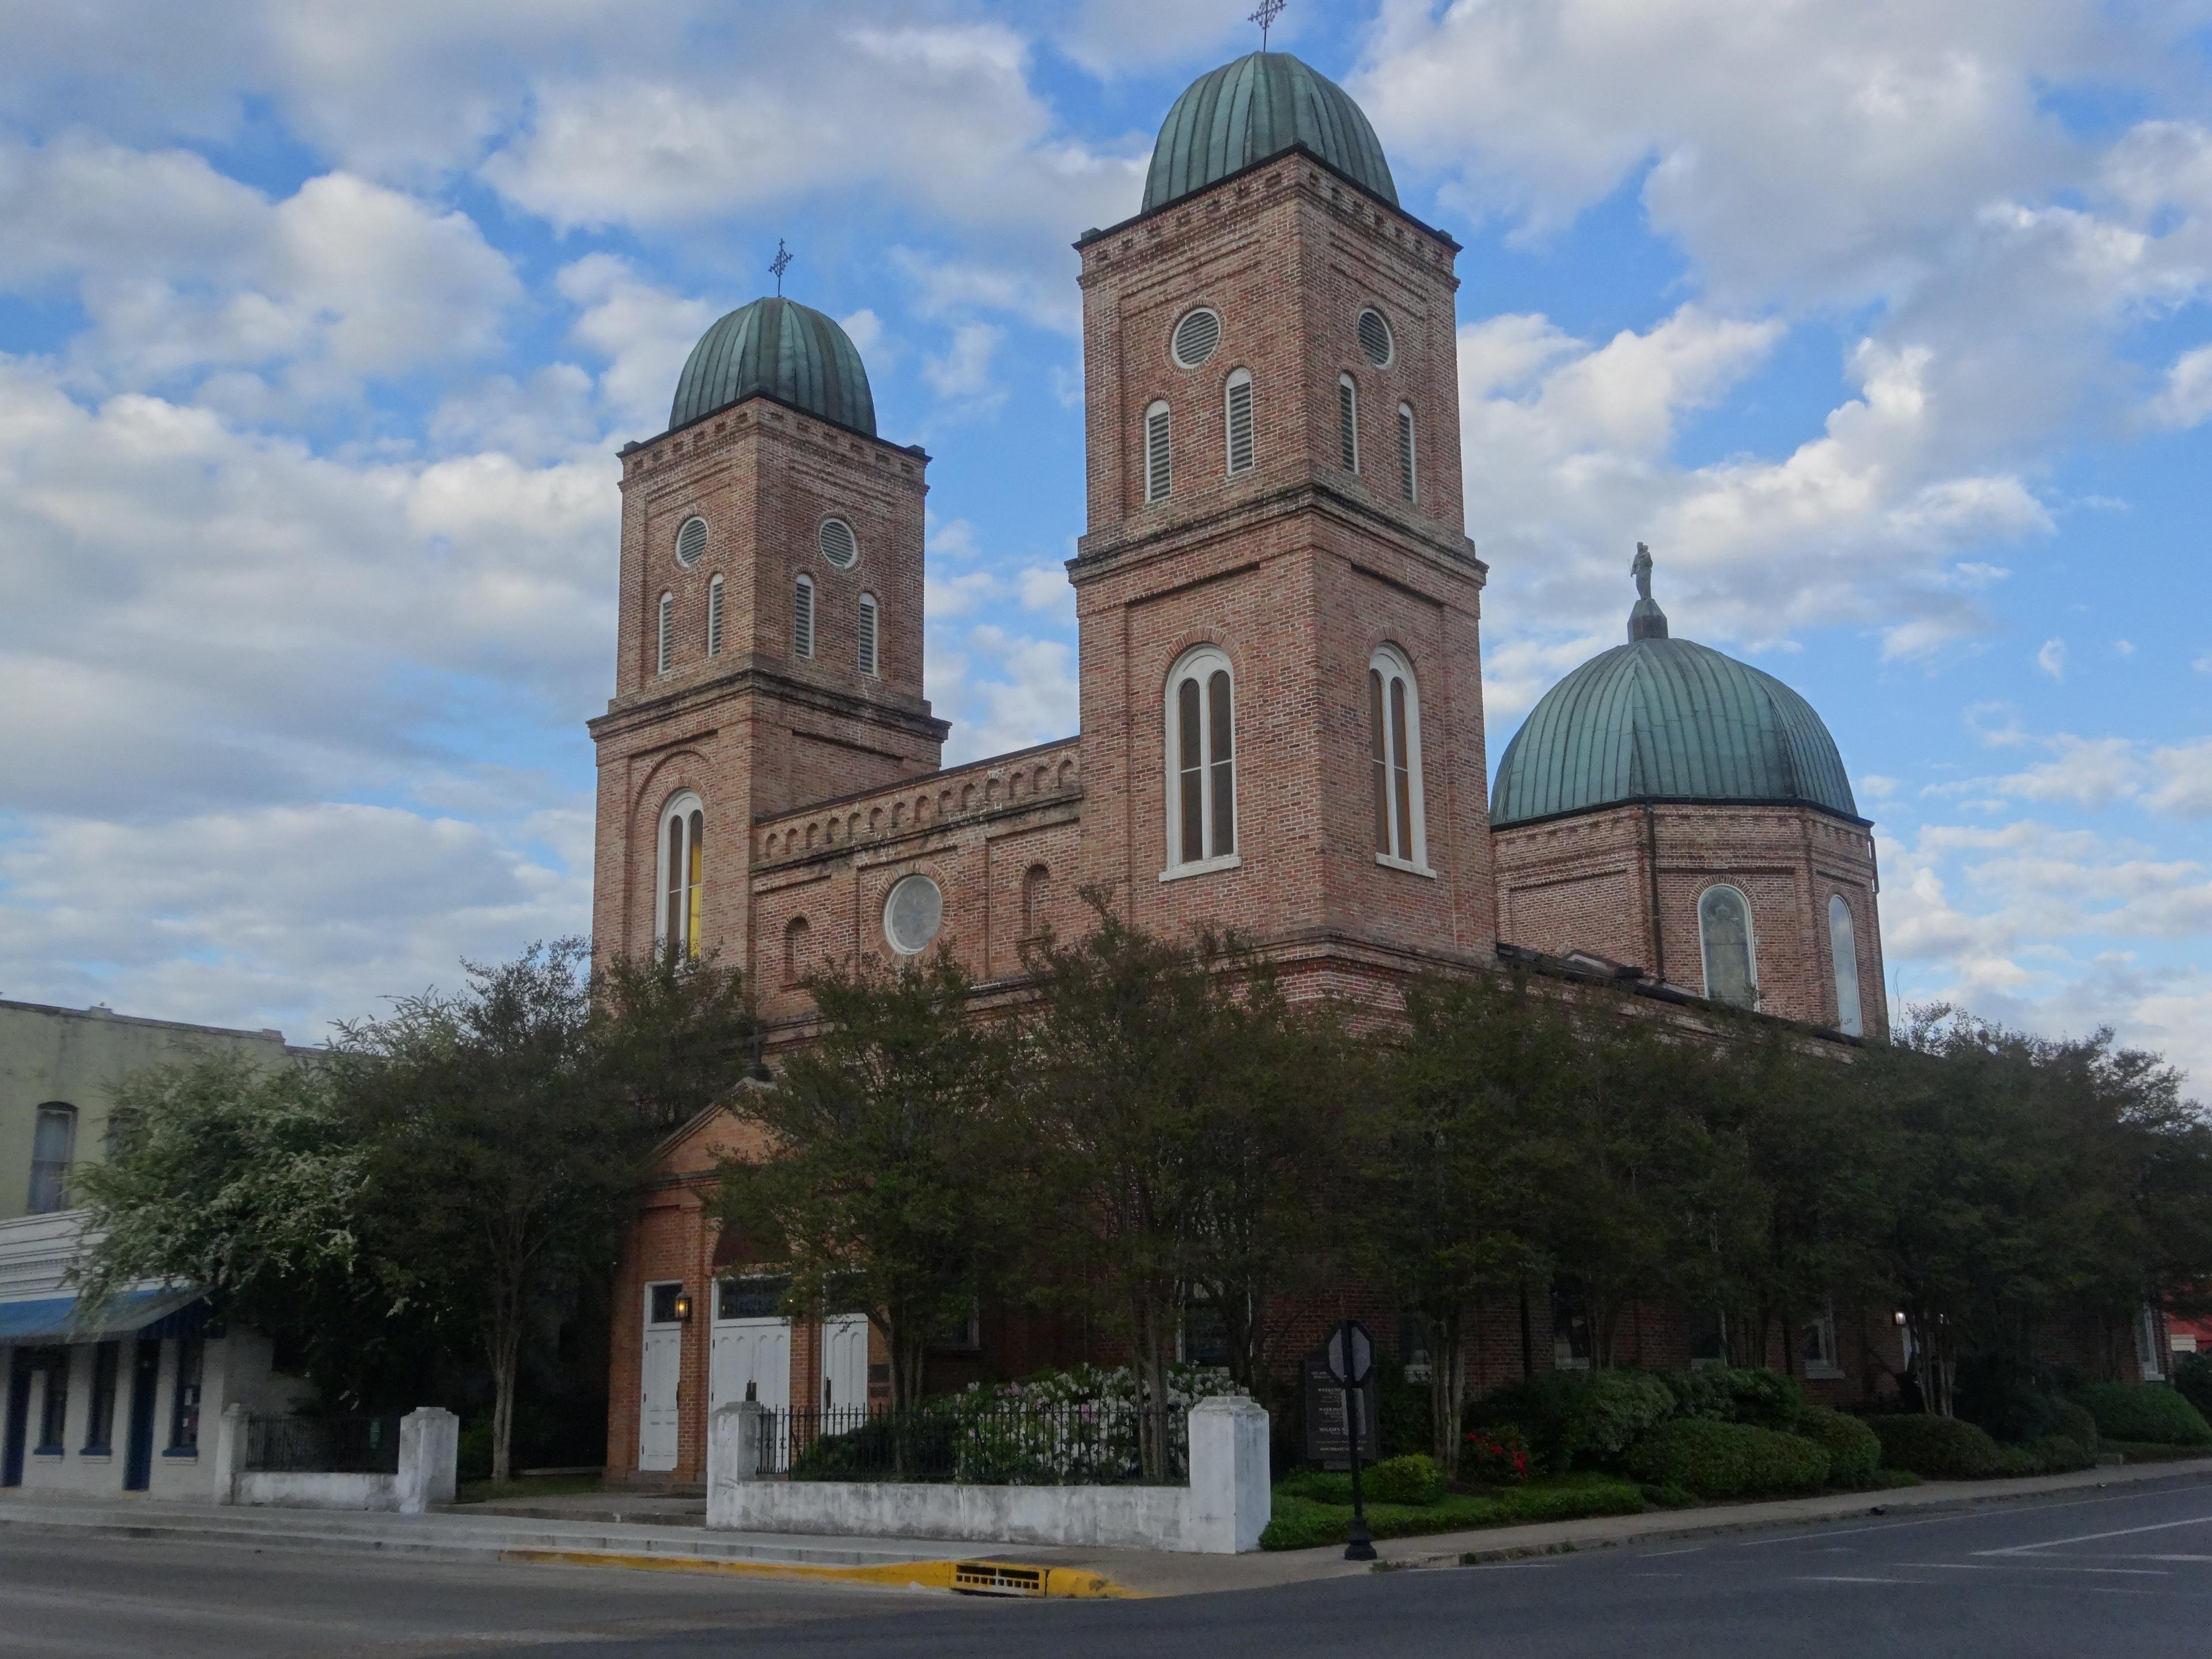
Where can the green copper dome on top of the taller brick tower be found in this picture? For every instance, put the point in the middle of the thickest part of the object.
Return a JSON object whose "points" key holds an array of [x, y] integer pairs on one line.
{"points": [[1253, 109]]}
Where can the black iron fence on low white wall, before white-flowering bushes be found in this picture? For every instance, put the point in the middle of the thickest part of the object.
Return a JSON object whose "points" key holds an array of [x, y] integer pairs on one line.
{"points": [[1001, 1446]]}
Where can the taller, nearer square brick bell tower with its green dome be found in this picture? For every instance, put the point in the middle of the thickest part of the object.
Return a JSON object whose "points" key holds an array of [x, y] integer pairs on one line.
{"points": [[1277, 601]]}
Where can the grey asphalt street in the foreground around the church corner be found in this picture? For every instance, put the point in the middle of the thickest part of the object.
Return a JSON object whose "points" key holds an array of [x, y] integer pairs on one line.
{"points": [[2087, 1574]]}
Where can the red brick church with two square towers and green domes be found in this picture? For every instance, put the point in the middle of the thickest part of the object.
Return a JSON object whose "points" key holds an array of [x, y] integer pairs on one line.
{"points": [[1282, 698]]}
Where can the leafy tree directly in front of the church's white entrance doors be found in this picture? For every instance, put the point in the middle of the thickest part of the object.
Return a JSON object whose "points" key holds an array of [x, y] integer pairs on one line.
{"points": [[886, 1176]]}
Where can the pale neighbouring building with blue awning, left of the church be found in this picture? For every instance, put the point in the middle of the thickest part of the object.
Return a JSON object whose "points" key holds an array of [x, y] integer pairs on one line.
{"points": [[121, 1404]]}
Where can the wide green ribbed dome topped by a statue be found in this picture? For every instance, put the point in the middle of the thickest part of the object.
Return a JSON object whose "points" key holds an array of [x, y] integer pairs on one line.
{"points": [[1667, 720]]}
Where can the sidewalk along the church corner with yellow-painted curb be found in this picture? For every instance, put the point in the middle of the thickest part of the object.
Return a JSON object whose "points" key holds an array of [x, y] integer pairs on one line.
{"points": [[554, 1532]]}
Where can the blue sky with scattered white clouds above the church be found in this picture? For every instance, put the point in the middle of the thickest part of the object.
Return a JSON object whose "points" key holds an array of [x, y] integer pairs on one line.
{"points": [[1884, 324]]}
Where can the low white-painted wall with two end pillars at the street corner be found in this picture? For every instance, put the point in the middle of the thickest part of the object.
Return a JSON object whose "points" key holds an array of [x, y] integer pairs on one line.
{"points": [[1222, 1512]]}
